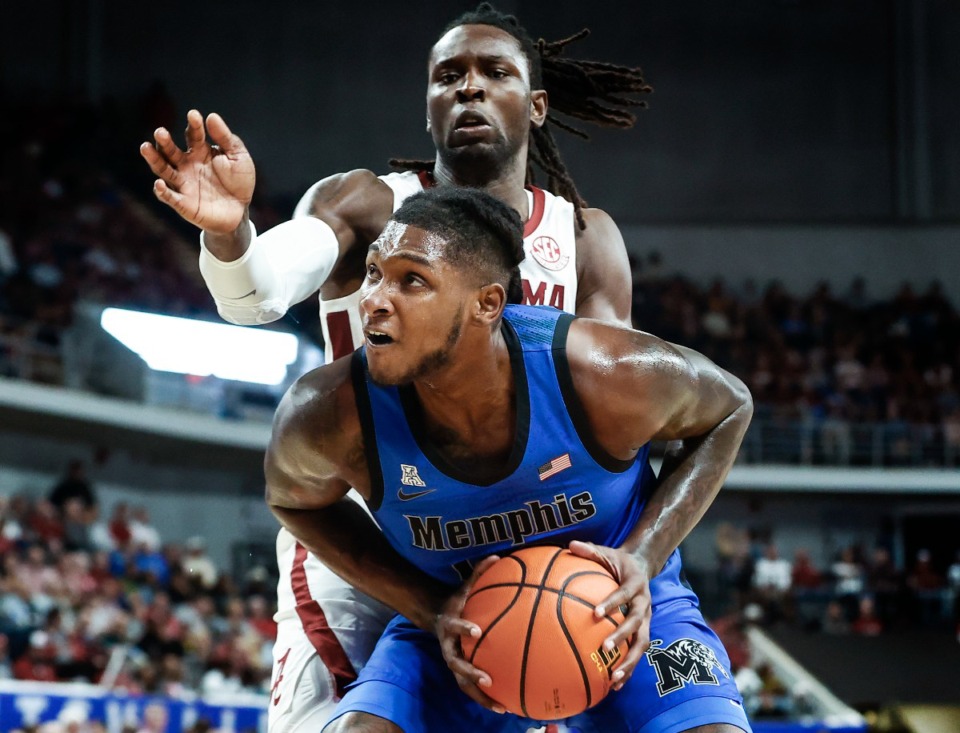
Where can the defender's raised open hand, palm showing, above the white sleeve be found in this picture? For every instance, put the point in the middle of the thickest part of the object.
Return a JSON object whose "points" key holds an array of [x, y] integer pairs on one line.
{"points": [[210, 184]]}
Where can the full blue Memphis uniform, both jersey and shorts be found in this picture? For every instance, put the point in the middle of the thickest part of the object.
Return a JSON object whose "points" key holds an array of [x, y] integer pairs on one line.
{"points": [[557, 485]]}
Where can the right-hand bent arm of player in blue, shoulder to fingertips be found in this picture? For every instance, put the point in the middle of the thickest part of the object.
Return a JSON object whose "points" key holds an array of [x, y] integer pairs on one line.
{"points": [[636, 388]]}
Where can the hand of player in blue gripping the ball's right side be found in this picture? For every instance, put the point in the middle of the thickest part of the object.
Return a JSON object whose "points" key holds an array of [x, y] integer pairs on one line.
{"points": [[633, 595]]}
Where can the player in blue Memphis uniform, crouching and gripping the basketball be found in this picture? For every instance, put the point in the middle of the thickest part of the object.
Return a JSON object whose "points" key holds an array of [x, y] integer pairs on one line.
{"points": [[444, 423]]}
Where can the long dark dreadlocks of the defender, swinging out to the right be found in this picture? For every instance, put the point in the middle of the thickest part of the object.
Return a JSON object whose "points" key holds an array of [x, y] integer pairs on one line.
{"points": [[592, 91]]}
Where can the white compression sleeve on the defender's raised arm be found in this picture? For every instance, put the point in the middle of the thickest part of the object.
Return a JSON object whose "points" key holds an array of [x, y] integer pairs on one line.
{"points": [[281, 267]]}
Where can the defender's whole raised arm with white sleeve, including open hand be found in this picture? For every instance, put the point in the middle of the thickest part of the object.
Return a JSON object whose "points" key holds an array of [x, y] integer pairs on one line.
{"points": [[256, 278]]}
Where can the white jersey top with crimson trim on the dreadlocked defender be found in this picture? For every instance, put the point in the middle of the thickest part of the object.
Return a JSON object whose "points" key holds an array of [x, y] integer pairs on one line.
{"points": [[549, 269]]}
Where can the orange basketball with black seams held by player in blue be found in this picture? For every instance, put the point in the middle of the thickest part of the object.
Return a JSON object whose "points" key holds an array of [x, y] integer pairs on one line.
{"points": [[540, 642]]}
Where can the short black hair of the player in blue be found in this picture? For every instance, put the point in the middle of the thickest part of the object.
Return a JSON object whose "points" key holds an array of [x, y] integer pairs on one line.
{"points": [[483, 234]]}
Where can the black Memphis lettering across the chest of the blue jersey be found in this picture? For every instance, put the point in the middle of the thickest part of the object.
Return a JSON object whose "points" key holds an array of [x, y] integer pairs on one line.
{"points": [[514, 526]]}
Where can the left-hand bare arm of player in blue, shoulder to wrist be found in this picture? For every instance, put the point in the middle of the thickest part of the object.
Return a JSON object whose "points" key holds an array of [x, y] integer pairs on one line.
{"points": [[316, 454]]}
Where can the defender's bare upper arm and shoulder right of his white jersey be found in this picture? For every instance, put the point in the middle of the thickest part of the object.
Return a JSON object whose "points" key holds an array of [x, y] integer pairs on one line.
{"points": [[604, 281]]}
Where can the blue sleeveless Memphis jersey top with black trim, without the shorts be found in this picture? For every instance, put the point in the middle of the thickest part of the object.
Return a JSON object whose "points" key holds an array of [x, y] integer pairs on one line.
{"points": [[558, 484]]}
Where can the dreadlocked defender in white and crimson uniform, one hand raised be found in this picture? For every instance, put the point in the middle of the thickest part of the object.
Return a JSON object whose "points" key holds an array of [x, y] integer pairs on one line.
{"points": [[487, 103]]}
